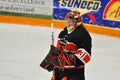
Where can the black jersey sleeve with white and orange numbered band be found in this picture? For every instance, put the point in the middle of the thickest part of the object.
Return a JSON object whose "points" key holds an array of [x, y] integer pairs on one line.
{"points": [[83, 52]]}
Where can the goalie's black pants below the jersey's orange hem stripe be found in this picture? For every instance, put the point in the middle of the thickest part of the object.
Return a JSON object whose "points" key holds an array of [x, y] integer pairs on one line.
{"points": [[69, 74]]}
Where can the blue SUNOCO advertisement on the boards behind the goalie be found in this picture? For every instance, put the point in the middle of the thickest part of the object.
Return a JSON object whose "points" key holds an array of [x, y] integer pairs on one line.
{"points": [[95, 12]]}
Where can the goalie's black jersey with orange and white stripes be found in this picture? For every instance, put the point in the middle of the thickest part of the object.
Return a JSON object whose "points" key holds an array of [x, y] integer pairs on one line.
{"points": [[77, 42]]}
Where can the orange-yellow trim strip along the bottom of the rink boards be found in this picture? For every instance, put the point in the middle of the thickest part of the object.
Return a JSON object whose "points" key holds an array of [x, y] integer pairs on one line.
{"points": [[58, 24]]}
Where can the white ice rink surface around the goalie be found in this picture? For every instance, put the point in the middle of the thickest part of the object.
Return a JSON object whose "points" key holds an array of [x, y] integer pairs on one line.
{"points": [[23, 47]]}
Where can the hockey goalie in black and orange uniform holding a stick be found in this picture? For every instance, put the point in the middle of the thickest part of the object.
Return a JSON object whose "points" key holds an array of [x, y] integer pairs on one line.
{"points": [[73, 50]]}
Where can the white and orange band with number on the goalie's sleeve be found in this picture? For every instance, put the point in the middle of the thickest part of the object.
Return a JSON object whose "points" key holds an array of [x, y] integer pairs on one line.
{"points": [[83, 55]]}
